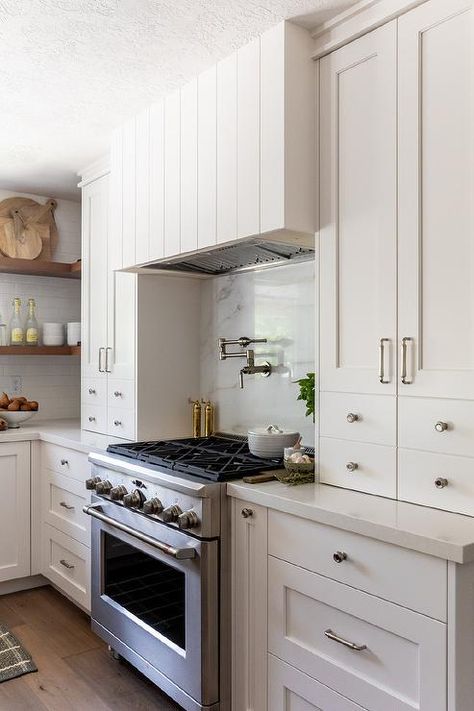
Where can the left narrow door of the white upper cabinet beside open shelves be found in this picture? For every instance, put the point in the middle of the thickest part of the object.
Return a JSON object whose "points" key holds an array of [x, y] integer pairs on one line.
{"points": [[95, 213]]}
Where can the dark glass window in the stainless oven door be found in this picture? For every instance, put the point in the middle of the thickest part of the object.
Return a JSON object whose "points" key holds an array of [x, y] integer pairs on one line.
{"points": [[149, 589]]}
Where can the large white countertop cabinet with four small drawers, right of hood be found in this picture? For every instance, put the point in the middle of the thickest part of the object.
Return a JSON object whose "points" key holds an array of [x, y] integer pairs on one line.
{"points": [[397, 251]]}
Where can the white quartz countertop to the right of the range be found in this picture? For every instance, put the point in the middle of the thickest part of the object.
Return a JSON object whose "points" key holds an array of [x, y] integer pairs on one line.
{"points": [[439, 533]]}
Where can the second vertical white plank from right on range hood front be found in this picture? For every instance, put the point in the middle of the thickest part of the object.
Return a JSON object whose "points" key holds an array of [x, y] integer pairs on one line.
{"points": [[248, 139]]}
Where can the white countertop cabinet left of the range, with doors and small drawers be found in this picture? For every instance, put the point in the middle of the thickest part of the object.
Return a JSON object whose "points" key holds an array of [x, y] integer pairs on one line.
{"points": [[140, 341]]}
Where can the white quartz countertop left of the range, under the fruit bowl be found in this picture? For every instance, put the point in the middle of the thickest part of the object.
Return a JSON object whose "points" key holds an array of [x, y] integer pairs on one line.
{"points": [[65, 433]]}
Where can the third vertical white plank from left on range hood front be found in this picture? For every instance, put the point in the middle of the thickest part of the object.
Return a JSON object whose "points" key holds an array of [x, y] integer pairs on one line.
{"points": [[142, 193]]}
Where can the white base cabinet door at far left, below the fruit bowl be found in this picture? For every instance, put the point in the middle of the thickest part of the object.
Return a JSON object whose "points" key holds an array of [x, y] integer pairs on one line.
{"points": [[15, 510]]}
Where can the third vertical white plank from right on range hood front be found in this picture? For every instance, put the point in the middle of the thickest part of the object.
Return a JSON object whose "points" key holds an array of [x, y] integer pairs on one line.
{"points": [[227, 149]]}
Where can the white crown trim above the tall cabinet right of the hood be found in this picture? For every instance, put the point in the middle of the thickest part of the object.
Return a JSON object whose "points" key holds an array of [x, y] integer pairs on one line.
{"points": [[359, 19]]}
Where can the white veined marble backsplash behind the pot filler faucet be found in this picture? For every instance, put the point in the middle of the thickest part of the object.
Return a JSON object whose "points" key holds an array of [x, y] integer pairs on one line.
{"points": [[277, 304]]}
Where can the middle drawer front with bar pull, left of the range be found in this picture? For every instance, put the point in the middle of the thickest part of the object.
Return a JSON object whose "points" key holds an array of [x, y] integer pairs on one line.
{"points": [[62, 502]]}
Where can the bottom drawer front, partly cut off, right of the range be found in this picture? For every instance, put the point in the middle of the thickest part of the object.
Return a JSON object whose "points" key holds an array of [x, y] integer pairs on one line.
{"points": [[291, 690]]}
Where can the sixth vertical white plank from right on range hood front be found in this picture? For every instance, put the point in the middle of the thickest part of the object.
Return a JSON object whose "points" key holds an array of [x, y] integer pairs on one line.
{"points": [[172, 174]]}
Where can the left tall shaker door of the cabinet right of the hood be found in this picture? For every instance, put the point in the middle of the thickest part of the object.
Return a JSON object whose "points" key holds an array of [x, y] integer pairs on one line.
{"points": [[358, 194]]}
